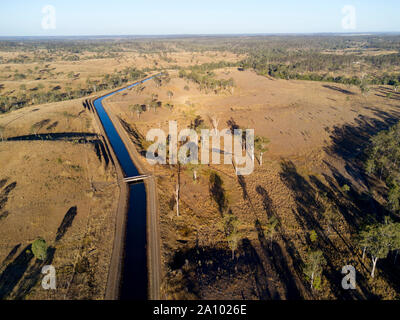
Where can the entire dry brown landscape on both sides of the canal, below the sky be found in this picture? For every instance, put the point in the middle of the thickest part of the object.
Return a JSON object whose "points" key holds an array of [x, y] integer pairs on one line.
{"points": [[235, 237]]}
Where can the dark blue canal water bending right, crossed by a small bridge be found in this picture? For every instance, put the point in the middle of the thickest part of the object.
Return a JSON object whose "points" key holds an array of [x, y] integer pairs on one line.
{"points": [[134, 277]]}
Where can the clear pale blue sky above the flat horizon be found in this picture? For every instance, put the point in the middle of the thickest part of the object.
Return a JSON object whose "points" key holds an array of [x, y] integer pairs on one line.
{"points": [[160, 17]]}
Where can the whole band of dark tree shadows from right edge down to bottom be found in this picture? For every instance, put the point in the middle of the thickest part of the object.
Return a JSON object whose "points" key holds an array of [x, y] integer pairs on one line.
{"points": [[356, 206]]}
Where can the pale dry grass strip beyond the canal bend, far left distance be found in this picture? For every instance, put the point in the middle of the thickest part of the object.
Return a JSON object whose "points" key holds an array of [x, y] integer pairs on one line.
{"points": [[59, 75]]}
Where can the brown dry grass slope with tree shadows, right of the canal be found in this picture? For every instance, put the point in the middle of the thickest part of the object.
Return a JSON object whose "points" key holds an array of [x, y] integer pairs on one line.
{"points": [[310, 126]]}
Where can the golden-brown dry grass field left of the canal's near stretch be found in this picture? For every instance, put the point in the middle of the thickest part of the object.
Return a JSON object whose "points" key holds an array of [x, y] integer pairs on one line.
{"points": [[55, 184]]}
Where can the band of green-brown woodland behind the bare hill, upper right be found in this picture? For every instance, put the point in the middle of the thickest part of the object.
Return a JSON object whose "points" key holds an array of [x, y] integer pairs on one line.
{"points": [[317, 66]]}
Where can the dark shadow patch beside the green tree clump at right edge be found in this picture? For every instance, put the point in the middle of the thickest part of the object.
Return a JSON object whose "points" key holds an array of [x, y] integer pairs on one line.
{"points": [[350, 142]]}
